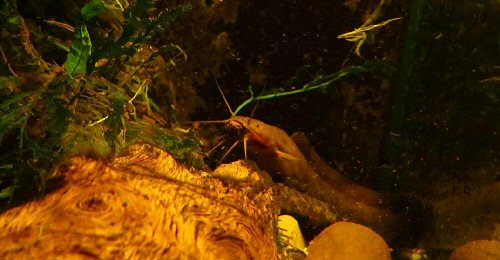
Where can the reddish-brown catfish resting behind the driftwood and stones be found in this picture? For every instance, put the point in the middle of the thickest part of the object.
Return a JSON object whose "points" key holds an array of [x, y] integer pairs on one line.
{"points": [[294, 162]]}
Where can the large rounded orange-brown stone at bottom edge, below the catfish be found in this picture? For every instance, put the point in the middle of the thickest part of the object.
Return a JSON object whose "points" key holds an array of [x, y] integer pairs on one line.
{"points": [[345, 240]]}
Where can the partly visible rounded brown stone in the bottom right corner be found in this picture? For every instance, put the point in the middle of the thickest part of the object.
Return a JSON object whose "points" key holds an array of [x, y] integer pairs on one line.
{"points": [[478, 249]]}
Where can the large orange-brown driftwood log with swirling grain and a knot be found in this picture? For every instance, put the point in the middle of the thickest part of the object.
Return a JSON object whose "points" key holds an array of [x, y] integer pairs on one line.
{"points": [[145, 205]]}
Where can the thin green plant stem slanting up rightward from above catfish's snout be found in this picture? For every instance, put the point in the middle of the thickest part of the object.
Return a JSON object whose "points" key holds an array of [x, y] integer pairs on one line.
{"points": [[320, 83]]}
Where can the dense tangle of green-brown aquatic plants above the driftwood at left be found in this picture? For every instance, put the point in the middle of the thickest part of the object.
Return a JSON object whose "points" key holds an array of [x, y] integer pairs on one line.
{"points": [[82, 107]]}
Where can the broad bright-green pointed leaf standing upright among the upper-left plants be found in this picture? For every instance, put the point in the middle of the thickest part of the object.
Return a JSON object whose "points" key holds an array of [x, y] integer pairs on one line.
{"points": [[81, 49]]}
